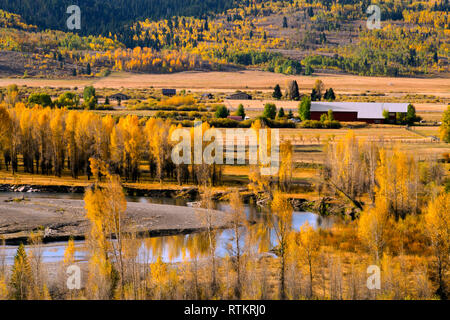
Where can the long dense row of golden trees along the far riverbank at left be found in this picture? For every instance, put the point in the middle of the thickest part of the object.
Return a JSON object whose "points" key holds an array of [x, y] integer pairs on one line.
{"points": [[58, 141]]}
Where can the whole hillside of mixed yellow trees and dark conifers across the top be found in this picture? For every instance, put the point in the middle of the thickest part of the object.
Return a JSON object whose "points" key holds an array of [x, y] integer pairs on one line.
{"points": [[289, 37]]}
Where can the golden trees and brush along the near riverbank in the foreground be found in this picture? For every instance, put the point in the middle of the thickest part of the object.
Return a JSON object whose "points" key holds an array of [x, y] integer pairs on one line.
{"points": [[329, 264]]}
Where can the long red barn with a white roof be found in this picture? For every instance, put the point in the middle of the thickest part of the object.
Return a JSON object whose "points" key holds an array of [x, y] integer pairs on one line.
{"points": [[356, 111]]}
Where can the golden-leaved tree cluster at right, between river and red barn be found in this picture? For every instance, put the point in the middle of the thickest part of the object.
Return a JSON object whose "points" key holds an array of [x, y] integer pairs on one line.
{"points": [[356, 168]]}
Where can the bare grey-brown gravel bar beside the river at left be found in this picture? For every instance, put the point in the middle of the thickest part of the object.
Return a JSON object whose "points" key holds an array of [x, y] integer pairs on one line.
{"points": [[63, 219]]}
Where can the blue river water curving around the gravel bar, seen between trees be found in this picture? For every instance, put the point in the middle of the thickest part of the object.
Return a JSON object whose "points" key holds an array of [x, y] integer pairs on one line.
{"points": [[170, 248]]}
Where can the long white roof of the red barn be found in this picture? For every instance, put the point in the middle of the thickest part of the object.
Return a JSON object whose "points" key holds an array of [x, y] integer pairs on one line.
{"points": [[365, 110]]}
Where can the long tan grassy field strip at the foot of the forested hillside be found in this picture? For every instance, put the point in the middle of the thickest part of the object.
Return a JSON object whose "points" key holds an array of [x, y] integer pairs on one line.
{"points": [[250, 80]]}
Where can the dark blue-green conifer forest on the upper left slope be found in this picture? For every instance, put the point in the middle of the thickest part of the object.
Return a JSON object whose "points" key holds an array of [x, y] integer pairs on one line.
{"points": [[104, 16]]}
